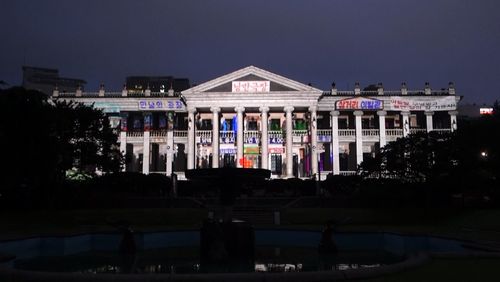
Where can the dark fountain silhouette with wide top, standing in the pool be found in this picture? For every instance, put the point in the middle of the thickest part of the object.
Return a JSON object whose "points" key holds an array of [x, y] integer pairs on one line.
{"points": [[225, 243]]}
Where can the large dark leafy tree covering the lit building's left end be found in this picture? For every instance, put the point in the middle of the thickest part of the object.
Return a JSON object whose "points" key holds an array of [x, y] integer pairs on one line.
{"points": [[42, 139]]}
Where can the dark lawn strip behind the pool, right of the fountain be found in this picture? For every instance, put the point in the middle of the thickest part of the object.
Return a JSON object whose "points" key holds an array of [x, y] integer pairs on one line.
{"points": [[465, 224]]}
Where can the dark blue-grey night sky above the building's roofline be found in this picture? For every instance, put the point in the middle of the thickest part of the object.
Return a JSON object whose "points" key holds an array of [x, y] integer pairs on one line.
{"points": [[370, 41]]}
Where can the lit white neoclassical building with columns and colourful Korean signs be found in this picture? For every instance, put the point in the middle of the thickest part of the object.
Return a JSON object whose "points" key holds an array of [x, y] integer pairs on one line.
{"points": [[257, 119]]}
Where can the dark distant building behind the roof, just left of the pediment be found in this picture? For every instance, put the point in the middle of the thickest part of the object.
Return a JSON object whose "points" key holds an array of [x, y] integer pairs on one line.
{"points": [[161, 84]]}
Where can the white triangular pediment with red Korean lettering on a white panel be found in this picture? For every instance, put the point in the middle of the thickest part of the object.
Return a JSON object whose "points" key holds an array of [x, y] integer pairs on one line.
{"points": [[251, 80]]}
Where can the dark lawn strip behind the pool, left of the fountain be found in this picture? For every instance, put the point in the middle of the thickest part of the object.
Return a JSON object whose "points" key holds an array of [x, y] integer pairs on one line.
{"points": [[32, 223]]}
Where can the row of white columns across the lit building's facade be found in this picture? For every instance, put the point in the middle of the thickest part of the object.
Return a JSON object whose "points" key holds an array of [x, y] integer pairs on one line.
{"points": [[264, 111]]}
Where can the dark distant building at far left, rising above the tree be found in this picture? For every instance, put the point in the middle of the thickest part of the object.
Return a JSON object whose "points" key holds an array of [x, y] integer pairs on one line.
{"points": [[45, 80]]}
